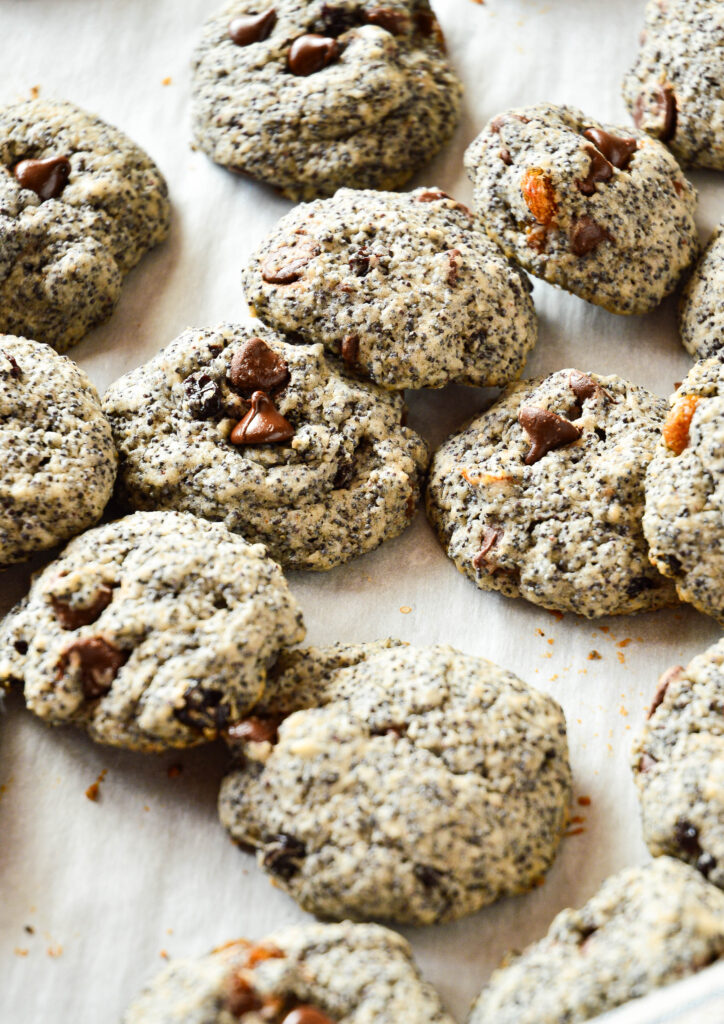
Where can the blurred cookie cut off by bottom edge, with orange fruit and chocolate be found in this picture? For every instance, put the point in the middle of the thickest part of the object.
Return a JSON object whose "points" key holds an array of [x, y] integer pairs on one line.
{"points": [[311, 974]]}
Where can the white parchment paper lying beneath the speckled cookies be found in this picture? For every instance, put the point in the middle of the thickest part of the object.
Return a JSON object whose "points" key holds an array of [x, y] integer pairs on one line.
{"points": [[94, 897]]}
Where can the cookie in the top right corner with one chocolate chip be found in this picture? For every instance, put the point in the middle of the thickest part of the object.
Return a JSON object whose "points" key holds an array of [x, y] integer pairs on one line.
{"points": [[675, 90]]}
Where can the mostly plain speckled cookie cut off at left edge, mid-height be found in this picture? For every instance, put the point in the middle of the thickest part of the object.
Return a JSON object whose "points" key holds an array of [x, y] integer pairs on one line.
{"points": [[58, 459]]}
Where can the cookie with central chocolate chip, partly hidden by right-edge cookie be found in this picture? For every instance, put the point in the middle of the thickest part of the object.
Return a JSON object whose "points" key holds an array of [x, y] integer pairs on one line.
{"points": [[542, 496]]}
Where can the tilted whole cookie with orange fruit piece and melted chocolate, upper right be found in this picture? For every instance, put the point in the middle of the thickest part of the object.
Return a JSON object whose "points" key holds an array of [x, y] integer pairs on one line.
{"points": [[594, 208]]}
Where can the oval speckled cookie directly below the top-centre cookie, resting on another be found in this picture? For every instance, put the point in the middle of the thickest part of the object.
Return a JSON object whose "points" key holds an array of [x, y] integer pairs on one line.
{"points": [[403, 287]]}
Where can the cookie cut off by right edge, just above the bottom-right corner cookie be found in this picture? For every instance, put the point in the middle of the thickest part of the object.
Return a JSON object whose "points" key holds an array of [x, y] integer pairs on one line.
{"points": [[678, 763]]}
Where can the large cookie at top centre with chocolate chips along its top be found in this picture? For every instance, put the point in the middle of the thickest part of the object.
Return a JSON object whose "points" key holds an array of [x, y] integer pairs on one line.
{"points": [[310, 97]]}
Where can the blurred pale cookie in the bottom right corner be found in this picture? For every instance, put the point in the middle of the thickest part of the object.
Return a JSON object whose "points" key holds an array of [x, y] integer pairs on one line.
{"points": [[647, 927]]}
